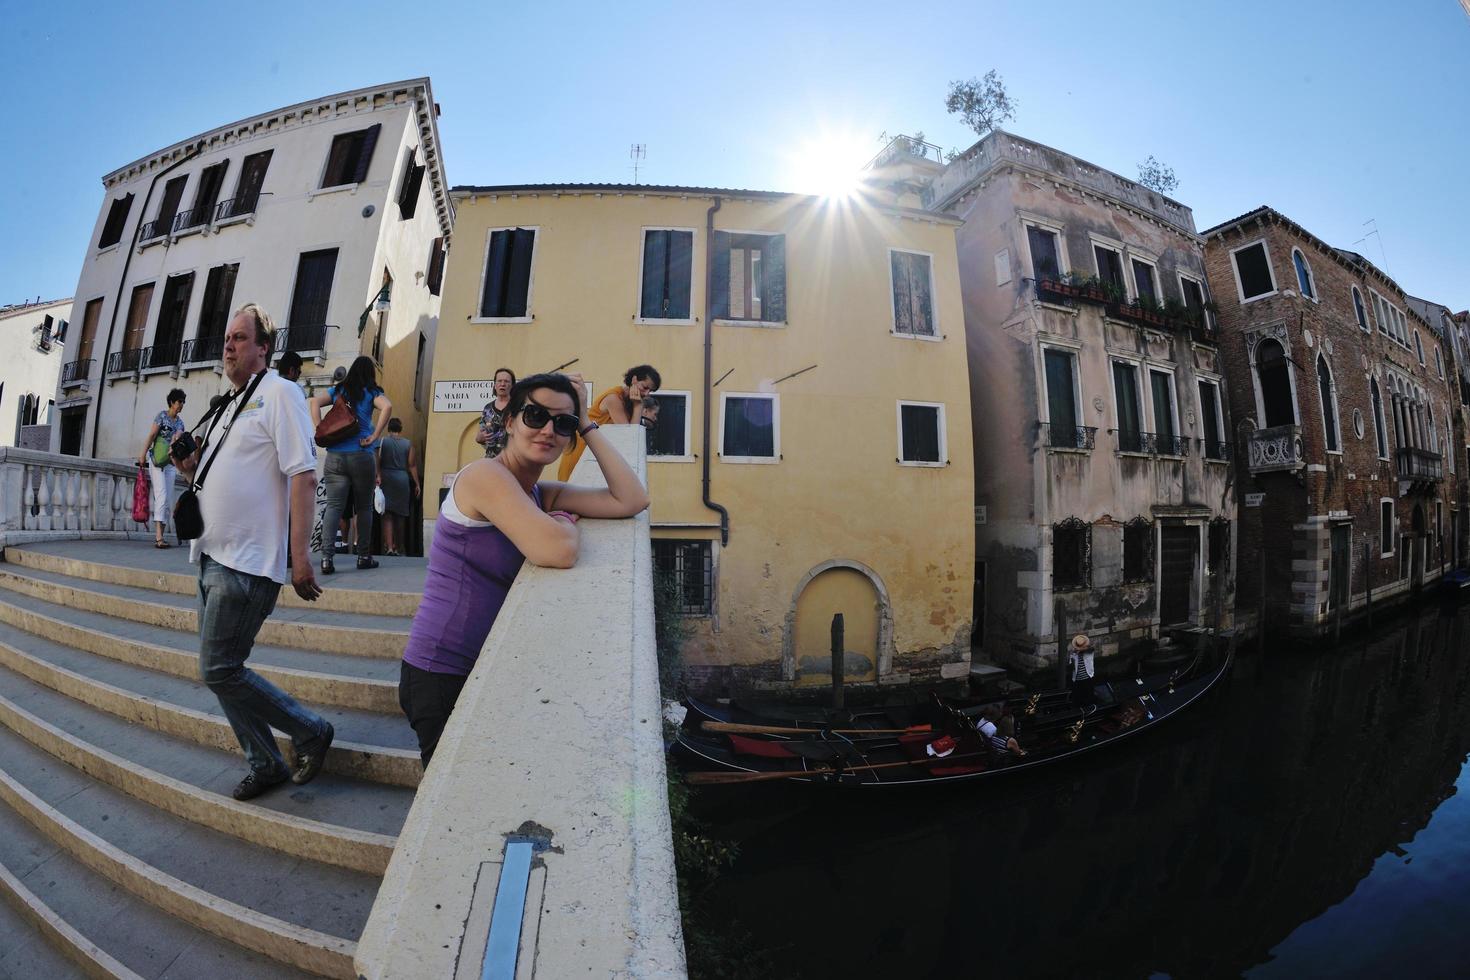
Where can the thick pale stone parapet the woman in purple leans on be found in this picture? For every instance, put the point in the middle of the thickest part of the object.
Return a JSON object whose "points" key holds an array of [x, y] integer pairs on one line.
{"points": [[556, 740]]}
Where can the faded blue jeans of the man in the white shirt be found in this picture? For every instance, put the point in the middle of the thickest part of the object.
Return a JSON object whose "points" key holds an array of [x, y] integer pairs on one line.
{"points": [[232, 609]]}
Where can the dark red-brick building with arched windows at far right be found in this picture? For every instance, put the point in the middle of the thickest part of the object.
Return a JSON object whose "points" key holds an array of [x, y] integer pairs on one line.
{"points": [[1347, 474]]}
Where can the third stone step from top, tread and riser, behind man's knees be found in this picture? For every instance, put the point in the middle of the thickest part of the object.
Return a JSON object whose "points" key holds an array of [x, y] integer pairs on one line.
{"points": [[317, 678]]}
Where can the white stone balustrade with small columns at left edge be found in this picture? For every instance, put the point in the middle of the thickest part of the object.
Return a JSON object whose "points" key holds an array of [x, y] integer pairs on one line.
{"points": [[45, 496]]}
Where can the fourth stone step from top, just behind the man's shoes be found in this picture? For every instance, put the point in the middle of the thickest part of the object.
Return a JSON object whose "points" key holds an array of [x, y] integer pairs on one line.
{"points": [[370, 746]]}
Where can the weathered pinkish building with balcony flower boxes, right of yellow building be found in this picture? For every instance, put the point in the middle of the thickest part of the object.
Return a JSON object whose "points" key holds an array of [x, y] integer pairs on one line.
{"points": [[1103, 483]]}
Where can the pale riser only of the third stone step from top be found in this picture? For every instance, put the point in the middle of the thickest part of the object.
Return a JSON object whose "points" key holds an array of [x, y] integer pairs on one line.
{"points": [[308, 685]]}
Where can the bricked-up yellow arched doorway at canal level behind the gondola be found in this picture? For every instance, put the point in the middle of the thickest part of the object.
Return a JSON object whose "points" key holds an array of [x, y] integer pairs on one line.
{"points": [[831, 588]]}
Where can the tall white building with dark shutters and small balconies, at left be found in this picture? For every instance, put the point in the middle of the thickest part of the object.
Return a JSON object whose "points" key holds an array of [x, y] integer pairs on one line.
{"points": [[309, 211]]}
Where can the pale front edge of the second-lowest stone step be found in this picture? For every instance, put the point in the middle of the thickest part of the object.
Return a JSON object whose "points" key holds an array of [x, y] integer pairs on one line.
{"points": [[284, 943]]}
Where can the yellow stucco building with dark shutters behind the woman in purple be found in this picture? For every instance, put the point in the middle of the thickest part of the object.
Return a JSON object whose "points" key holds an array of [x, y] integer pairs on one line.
{"points": [[839, 430]]}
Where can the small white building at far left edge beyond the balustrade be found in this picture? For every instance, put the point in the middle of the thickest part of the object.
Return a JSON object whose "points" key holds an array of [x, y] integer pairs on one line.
{"points": [[35, 340]]}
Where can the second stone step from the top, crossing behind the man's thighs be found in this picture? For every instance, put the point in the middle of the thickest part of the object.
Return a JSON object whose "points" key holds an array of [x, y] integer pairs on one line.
{"points": [[349, 634]]}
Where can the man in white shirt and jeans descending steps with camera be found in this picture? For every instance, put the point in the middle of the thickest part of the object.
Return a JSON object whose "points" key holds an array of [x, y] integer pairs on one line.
{"points": [[261, 480]]}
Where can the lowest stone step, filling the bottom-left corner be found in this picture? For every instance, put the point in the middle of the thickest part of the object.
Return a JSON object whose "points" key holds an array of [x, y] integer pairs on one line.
{"points": [[71, 912]]}
